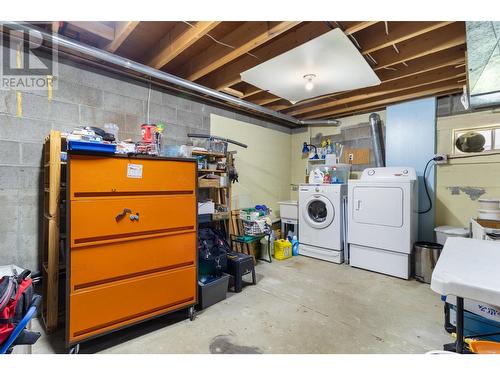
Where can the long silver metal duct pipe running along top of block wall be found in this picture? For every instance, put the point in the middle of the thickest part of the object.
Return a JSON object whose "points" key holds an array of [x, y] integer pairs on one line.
{"points": [[96, 53]]}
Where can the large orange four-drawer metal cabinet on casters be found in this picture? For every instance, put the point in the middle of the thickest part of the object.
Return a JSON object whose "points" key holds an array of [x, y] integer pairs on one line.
{"points": [[131, 253]]}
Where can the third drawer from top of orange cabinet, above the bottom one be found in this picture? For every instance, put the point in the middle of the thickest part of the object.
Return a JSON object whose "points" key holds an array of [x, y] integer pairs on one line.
{"points": [[94, 265]]}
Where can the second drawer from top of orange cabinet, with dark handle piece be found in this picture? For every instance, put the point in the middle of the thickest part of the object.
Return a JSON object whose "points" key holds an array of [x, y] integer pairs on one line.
{"points": [[95, 221]]}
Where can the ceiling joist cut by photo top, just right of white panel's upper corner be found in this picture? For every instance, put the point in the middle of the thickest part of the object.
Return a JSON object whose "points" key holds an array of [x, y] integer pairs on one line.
{"points": [[398, 32]]}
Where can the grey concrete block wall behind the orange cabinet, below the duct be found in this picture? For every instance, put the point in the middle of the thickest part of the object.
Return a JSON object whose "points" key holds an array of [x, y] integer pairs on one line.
{"points": [[84, 96]]}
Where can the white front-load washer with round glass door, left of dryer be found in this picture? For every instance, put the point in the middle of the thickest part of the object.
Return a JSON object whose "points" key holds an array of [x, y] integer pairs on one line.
{"points": [[321, 221]]}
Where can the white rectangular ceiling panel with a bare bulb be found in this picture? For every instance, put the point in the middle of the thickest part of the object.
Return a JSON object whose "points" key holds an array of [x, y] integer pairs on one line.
{"points": [[327, 64]]}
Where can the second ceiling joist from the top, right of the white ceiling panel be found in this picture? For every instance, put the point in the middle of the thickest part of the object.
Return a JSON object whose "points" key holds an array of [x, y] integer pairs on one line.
{"points": [[447, 37]]}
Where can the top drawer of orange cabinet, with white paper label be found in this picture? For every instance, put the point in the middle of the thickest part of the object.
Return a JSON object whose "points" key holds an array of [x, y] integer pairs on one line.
{"points": [[92, 176]]}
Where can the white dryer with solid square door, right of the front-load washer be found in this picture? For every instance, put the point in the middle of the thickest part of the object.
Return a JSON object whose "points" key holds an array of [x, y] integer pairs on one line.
{"points": [[382, 220]]}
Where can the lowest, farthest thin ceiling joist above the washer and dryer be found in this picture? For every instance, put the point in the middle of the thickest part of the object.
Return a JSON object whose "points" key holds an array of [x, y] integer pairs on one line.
{"points": [[430, 90]]}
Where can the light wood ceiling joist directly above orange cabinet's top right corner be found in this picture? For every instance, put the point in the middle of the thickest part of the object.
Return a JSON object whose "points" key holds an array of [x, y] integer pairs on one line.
{"points": [[181, 37]]}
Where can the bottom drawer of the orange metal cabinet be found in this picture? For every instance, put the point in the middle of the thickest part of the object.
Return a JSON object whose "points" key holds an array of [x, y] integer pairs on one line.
{"points": [[101, 309]]}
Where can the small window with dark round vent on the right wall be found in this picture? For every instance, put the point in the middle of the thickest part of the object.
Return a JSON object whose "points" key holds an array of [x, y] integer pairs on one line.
{"points": [[476, 140]]}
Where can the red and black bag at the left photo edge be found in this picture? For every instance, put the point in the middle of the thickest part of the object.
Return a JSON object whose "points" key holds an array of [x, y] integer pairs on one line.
{"points": [[10, 312]]}
